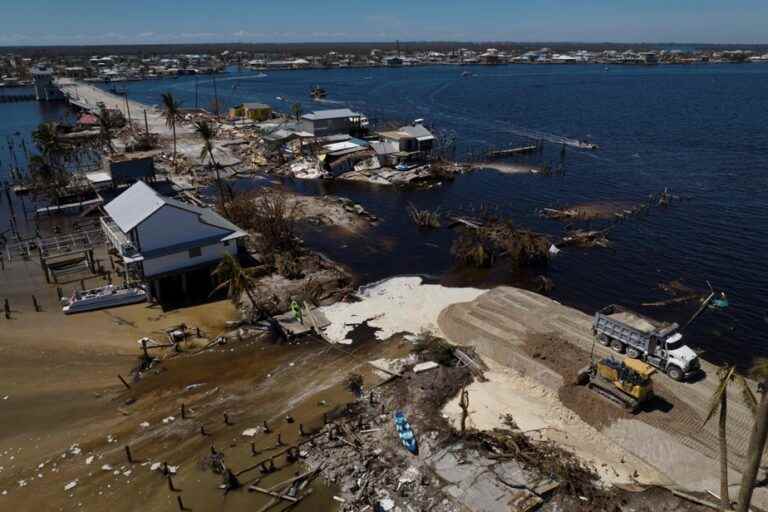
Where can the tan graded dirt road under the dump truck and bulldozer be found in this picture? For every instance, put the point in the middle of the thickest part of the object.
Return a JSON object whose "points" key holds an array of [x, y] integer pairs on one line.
{"points": [[499, 325]]}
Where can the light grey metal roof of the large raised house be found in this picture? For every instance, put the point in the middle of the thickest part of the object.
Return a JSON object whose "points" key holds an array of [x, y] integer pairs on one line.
{"points": [[140, 201]]}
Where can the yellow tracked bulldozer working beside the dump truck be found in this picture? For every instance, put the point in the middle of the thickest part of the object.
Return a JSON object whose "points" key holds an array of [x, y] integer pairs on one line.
{"points": [[627, 383]]}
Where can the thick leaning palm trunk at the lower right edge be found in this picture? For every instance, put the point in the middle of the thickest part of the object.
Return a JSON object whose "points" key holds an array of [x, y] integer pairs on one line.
{"points": [[757, 438]]}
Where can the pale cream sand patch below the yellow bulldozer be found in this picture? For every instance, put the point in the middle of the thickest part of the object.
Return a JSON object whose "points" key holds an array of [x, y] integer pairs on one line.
{"points": [[537, 411]]}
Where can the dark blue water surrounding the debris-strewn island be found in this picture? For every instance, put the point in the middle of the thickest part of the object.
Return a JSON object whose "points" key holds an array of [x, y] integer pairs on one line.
{"points": [[699, 131]]}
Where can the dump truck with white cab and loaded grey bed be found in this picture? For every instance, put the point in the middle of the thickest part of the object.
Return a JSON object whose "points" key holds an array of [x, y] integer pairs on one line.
{"points": [[656, 343]]}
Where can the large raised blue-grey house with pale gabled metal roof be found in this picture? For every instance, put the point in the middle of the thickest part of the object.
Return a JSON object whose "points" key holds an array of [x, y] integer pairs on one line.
{"points": [[169, 244]]}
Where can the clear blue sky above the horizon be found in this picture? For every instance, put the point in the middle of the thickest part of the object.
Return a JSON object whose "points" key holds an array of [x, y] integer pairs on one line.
{"points": [[79, 22]]}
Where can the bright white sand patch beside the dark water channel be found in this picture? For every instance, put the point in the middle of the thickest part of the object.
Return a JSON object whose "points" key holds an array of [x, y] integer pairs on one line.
{"points": [[400, 304]]}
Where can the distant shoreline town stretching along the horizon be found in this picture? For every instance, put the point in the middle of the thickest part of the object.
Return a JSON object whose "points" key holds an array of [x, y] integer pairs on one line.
{"points": [[142, 63]]}
